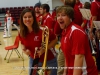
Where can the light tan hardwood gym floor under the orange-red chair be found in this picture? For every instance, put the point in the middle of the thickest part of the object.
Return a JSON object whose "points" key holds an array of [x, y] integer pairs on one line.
{"points": [[15, 66]]}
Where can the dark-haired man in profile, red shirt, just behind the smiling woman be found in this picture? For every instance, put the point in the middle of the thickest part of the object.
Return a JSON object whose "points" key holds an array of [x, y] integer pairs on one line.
{"points": [[47, 19]]}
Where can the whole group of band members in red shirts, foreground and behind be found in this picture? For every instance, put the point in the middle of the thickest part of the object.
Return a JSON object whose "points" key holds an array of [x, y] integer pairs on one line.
{"points": [[67, 25]]}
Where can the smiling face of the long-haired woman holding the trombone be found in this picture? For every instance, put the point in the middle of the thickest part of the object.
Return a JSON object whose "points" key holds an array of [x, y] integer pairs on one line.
{"points": [[28, 19]]}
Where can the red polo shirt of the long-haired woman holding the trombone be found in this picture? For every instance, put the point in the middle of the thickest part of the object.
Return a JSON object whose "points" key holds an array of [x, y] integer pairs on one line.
{"points": [[33, 40]]}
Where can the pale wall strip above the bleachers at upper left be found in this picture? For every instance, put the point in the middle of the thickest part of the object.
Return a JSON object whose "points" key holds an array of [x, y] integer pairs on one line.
{"points": [[16, 3]]}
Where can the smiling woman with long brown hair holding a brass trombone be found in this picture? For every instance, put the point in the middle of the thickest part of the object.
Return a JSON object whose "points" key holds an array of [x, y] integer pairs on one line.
{"points": [[31, 37]]}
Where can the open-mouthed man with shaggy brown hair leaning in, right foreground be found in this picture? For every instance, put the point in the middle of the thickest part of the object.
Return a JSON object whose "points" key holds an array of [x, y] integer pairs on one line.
{"points": [[75, 45]]}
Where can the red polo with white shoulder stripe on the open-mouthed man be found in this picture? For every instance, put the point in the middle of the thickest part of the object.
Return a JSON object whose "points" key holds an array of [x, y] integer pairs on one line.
{"points": [[74, 41]]}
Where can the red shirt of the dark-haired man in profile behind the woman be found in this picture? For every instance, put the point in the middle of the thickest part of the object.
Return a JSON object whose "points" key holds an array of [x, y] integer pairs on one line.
{"points": [[48, 21]]}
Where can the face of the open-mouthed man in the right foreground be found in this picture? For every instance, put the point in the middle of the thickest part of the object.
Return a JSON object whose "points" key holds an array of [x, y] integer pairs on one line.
{"points": [[63, 20]]}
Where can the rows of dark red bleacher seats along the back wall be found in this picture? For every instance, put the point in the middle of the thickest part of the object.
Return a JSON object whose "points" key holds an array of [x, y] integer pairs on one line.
{"points": [[15, 13]]}
